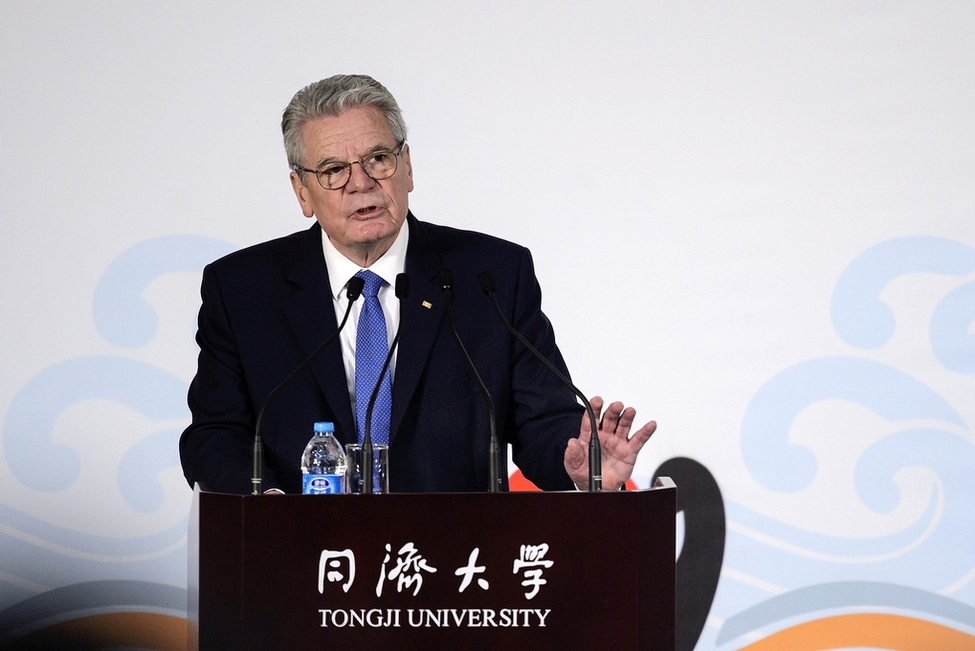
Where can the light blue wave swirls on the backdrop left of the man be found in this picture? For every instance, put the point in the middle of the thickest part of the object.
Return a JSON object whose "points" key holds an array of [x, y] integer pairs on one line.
{"points": [[41, 556]]}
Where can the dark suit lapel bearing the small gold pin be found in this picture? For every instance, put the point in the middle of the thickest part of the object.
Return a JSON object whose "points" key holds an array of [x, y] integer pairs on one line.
{"points": [[421, 316]]}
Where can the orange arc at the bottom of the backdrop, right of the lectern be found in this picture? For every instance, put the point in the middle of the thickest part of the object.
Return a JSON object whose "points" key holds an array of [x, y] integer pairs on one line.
{"points": [[877, 631]]}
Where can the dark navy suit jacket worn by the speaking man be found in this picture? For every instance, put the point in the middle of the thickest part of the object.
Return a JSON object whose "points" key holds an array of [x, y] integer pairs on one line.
{"points": [[267, 307]]}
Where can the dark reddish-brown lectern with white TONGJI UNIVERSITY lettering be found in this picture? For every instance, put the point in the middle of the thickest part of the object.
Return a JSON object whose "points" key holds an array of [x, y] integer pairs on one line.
{"points": [[518, 571]]}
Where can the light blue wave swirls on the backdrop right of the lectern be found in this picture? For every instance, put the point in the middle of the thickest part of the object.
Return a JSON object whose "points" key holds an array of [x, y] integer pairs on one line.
{"points": [[777, 575]]}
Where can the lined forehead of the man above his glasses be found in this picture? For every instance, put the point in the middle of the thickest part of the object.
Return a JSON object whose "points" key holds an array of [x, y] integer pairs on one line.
{"points": [[354, 132]]}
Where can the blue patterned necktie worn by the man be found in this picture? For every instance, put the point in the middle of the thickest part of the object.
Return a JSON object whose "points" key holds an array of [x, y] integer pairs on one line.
{"points": [[371, 348]]}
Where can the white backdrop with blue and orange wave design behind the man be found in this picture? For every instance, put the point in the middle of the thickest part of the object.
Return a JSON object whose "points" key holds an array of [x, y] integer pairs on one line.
{"points": [[752, 221]]}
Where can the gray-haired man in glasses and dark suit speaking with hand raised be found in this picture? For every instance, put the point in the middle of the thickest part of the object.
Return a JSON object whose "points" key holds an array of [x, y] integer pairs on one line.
{"points": [[266, 308]]}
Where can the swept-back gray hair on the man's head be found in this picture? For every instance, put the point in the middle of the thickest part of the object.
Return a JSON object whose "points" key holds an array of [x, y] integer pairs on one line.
{"points": [[332, 97]]}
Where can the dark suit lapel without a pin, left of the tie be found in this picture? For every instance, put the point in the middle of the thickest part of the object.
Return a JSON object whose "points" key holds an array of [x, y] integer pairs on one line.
{"points": [[312, 317]]}
